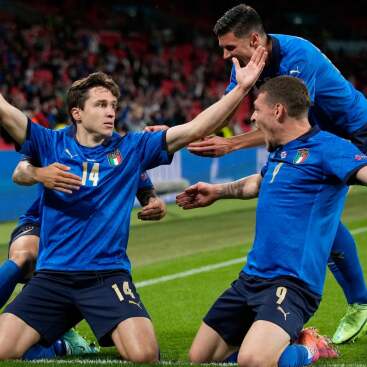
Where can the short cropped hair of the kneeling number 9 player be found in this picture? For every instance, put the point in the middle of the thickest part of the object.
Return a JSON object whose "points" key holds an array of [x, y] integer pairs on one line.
{"points": [[289, 91]]}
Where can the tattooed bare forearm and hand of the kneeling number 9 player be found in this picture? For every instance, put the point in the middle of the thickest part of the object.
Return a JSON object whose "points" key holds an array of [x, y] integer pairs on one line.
{"points": [[204, 194]]}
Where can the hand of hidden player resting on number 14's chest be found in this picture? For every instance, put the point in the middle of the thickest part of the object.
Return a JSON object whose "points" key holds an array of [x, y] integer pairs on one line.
{"points": [[56, 177]]}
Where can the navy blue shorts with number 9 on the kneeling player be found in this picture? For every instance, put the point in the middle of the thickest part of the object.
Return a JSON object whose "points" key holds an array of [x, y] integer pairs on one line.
{"points": [[283, 301]]}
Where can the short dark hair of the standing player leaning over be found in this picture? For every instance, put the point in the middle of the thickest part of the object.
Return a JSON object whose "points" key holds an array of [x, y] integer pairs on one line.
{"points": [[241, 20]]}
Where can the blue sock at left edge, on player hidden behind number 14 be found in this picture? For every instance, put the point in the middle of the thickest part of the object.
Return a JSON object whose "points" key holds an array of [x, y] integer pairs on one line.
{"points": [[10, 275]]}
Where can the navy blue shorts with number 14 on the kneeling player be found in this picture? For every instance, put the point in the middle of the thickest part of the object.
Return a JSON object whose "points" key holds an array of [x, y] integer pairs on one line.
{"points": [[53, 302]]}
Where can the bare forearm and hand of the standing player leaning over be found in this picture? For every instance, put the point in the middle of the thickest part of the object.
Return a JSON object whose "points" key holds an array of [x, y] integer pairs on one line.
{"points": [[216, 146]]}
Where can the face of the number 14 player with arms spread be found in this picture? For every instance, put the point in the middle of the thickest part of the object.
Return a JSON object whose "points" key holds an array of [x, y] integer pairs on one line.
{"points": [[99, 112]]}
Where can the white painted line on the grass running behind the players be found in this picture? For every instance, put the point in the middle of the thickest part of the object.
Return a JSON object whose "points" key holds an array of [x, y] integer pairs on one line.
{"points": [[207, 268]]}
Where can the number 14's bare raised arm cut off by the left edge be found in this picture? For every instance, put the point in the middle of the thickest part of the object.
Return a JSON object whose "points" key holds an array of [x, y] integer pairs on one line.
{"points": [[13, 120]]}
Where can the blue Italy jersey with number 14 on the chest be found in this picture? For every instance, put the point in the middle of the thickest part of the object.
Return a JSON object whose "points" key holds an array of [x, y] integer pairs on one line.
{"points": [[89, 229]]}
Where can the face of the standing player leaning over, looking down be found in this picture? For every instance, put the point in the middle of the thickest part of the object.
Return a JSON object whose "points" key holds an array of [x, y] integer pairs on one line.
{"points": [[241, 48]]}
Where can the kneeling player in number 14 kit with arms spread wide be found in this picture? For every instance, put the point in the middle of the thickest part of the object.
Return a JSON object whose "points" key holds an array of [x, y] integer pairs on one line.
{"points": [[82, 268]]}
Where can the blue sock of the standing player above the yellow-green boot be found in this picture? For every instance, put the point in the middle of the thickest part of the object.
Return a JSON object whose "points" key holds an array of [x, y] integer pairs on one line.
{"points": [[346, 268]]}
